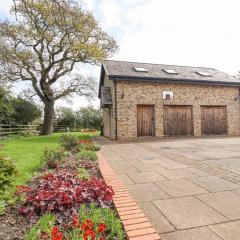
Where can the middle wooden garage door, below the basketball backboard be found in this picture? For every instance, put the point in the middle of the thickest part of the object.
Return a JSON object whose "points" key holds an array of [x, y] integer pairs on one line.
{"points": [[178, 120]]}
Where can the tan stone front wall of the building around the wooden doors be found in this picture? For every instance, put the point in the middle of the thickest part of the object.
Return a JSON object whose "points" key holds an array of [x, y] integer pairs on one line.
{"points": [[184, 94]]}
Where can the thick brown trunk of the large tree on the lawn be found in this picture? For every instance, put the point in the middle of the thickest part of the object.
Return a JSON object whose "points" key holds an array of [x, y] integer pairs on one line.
{"points": [[48, 118]]}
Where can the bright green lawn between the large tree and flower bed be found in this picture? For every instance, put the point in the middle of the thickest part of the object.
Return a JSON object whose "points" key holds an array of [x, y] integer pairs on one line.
{"points": [[26, 152]]}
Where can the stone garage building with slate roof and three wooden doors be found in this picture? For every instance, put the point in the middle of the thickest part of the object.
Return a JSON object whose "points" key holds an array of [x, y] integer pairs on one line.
{"points": [[155, 100]]}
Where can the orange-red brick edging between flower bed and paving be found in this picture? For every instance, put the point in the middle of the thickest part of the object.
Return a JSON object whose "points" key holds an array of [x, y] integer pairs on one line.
{"points": [[135, 223]]}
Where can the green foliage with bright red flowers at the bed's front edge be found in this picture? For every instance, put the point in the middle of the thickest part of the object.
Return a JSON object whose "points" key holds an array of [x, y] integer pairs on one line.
{"points": [[90, 223]]}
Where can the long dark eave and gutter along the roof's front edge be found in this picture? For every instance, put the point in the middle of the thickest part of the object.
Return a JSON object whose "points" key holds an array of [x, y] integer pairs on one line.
{"points": [[165, 80]]}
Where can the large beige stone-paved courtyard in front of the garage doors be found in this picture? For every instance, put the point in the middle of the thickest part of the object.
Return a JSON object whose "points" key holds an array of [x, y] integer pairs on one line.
{"points": [[188, 188]]}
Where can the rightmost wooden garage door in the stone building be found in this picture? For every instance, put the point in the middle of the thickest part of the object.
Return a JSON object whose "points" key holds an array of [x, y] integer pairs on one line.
{"points": [[214, 120]]}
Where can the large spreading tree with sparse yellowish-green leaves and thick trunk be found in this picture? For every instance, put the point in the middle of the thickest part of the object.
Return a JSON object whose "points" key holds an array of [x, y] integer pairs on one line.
{"points": [[48, 40]]}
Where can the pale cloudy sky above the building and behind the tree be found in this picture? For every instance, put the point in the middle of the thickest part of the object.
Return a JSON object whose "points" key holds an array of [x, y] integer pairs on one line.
{"points": [[187, 32]]}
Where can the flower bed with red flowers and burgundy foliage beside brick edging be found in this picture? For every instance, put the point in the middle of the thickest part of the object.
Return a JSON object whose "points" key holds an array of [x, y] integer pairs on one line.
{"points": [[67, 199]]}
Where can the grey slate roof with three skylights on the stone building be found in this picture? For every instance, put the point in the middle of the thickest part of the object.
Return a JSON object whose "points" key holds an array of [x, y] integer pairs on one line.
{"points": [[125, 71]]}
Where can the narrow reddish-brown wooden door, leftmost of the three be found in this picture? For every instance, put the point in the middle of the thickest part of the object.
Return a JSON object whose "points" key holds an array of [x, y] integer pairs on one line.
{"points": [[145, 120]]}
